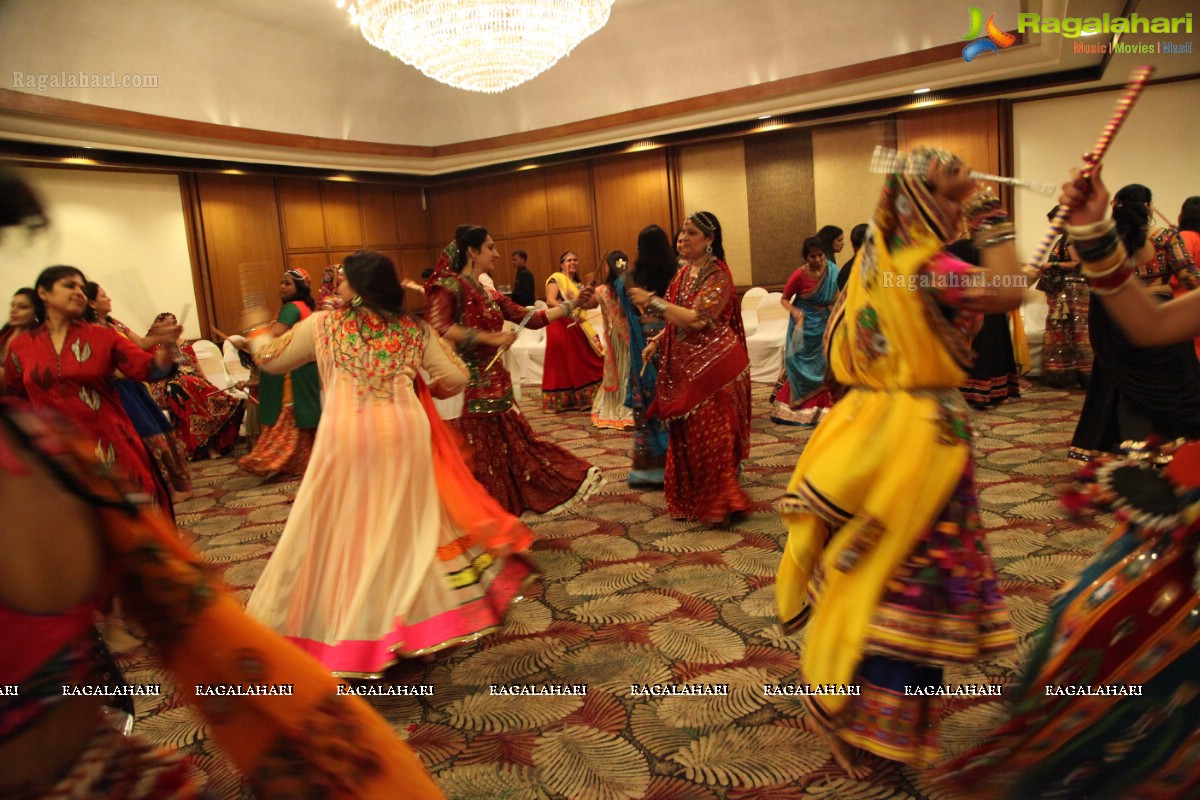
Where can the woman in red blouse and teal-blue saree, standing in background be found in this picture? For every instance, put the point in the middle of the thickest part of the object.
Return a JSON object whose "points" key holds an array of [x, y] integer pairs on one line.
{"points": [[801, 396]]}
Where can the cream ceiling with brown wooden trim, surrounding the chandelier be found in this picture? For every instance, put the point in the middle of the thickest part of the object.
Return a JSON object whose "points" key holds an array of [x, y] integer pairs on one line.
{"points": [[291, 82]]}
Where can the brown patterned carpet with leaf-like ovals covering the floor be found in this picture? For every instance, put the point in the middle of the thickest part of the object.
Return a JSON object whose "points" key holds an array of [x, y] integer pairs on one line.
{"points": [[629, 597]]}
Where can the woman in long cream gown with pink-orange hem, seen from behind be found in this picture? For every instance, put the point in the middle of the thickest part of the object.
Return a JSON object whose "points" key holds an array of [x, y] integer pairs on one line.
{"points": [[393, 549]]}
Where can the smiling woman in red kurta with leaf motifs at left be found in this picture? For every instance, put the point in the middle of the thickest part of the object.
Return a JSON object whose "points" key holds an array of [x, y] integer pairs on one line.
{"points": [[68, 365]]}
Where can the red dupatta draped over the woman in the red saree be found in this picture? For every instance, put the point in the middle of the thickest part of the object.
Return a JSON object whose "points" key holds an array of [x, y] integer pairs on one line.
{"points": [[699, 364]]}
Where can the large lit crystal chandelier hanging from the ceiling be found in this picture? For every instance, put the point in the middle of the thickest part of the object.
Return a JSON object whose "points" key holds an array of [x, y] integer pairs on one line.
{"points": [[479, 45]]}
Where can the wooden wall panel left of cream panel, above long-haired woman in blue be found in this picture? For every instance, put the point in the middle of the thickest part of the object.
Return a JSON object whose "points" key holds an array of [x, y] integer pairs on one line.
{"points": [[631, 194]]}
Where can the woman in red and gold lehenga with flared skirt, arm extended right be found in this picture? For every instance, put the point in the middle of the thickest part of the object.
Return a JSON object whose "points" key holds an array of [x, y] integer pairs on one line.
{"points": [[517, 468]]}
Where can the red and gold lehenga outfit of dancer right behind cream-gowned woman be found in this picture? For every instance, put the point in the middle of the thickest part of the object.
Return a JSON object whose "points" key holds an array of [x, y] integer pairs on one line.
{"points": [[517, 468]]}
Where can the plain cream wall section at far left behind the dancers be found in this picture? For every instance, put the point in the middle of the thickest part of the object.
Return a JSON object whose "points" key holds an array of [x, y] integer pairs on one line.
{"points": [[125, 231]]}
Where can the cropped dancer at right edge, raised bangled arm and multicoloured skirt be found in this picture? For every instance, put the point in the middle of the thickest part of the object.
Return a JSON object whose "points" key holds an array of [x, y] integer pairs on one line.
{"points": [[1131, 624]]}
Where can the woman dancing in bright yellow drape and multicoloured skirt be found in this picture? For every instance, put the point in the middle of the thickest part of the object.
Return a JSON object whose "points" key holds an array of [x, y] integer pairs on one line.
{"points": [[884, 532]]}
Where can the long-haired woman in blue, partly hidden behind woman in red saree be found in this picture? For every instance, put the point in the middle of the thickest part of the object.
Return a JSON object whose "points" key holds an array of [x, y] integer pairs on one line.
{"points": [[656, 267]]}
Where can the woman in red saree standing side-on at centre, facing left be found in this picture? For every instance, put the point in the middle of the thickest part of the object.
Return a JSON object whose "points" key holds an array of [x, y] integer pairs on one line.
{"points": [[704, 390]]}
